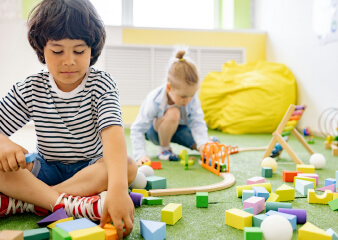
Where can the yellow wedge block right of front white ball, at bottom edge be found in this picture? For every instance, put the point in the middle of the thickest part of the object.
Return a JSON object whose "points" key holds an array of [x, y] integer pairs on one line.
{"points": [[310, 231]]}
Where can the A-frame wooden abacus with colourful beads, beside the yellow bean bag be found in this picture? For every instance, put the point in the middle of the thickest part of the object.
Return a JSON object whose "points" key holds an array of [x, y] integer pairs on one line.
{"points": [[287, 127]]}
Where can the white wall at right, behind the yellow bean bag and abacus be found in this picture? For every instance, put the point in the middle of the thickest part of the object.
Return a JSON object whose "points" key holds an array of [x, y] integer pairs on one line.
{"points": [[292, 41]]}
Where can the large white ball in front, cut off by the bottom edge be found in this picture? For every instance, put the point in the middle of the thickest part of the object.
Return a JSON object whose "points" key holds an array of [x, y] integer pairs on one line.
{"points": [[276, 227]]}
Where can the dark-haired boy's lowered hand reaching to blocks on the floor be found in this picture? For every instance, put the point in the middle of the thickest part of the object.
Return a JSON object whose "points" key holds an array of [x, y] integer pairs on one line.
{"points": [[119, 208]]}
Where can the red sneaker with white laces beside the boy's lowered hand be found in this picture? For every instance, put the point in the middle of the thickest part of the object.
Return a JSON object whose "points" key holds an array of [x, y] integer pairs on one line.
{"points": [[82, 207]]}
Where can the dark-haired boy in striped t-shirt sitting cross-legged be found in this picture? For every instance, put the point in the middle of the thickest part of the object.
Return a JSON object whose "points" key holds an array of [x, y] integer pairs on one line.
{"points": [[77, 116]]}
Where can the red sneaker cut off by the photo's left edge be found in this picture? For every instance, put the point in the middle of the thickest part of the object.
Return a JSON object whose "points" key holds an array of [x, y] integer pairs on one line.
{"points": [[10, 206]]}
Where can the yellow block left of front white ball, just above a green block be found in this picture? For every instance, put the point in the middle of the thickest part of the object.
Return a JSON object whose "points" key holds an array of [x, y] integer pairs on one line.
{"points": [[238, 218]]}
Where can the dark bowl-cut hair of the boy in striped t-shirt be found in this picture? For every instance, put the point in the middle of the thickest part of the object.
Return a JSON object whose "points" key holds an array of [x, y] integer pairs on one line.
{"points": [[62, 19]]}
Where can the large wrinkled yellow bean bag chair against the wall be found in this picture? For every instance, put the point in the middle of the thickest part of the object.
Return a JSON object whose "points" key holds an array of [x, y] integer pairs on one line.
{"points": [[247, 98]]}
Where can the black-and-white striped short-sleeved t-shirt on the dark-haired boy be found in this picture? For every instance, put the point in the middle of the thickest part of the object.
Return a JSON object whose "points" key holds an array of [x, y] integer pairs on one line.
{"points": [[67, 125]]}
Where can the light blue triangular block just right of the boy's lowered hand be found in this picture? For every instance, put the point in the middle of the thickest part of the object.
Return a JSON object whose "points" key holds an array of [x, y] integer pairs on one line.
{"points": [[152, 230]]}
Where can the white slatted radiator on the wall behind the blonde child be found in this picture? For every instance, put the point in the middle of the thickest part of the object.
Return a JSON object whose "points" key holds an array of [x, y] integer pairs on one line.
{"points": [[138, 69]]}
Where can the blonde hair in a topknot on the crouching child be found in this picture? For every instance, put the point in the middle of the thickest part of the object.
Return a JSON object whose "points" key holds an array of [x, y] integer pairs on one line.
{"points": [[182, 69]]}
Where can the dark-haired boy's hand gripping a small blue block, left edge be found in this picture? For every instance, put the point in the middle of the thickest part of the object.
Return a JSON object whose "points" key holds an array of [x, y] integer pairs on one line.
{"points": [[12, 155]]}
